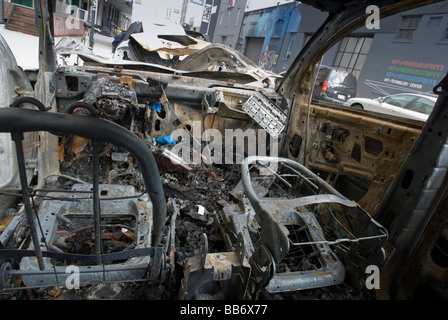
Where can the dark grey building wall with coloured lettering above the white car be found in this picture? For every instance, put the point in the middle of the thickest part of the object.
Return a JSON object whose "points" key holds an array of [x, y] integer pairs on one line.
{"points": [[408, 53]]}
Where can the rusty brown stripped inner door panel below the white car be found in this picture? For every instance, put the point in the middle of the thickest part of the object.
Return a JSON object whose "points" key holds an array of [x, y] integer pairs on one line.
{"points": [[361, 144]]}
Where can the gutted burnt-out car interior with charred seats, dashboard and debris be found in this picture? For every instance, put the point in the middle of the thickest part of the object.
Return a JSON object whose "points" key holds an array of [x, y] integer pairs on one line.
{"points": [[88, 184]]}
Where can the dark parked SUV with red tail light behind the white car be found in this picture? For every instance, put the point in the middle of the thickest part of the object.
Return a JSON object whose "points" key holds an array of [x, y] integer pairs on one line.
{"points": [[334, 85]]}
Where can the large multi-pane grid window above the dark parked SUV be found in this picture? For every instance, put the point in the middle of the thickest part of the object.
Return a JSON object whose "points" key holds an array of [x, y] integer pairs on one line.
{"points": [[352, 54]]}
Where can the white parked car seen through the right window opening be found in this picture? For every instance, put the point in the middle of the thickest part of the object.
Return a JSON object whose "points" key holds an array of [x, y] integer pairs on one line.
{"points": [[408, 105]]}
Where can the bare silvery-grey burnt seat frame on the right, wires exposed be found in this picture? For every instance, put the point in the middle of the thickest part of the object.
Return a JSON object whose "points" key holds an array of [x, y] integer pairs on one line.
{"points": [[273, 215]]}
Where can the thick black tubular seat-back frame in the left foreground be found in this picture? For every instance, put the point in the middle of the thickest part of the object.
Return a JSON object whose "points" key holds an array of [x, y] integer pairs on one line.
{"points": [[17, 121]]}
